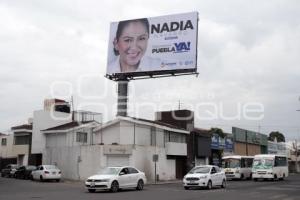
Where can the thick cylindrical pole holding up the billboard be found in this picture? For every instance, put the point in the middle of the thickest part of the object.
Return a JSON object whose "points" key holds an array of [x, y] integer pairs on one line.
{"points": [[122, 96]]}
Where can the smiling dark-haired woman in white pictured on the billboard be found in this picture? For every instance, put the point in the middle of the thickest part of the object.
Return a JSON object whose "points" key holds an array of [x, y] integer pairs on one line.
{"points": [[130, 45]]}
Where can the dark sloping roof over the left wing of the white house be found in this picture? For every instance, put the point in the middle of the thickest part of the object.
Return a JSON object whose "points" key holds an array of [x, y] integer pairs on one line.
{"points": [[66, 127]]}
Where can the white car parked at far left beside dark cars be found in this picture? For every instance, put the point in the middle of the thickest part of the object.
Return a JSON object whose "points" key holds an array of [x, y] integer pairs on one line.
{"points": [[46, 172]]}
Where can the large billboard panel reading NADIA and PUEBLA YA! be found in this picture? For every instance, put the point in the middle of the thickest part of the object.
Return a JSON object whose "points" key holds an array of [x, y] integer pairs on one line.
{"points": [[153, 46]]}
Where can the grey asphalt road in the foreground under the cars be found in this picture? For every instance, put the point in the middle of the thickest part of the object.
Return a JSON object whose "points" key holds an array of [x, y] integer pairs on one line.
{"points": [[244, 190]]}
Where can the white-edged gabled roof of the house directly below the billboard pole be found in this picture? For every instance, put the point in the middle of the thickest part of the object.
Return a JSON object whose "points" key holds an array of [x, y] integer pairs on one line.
{"points": [[156, 124]]}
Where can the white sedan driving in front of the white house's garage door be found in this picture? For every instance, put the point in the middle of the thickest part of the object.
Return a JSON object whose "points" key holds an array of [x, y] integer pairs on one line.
{"points": [[114, 178]]}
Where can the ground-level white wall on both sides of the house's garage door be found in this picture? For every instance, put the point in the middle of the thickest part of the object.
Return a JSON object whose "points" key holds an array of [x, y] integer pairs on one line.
{"points": [[80, 162]]}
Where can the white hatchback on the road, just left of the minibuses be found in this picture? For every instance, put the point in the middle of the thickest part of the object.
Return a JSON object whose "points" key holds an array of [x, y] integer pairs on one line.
{"points": [[204, 176]]}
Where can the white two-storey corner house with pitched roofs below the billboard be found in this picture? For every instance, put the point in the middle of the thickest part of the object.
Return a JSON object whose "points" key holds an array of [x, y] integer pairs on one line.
{"points": [[82, 150]]}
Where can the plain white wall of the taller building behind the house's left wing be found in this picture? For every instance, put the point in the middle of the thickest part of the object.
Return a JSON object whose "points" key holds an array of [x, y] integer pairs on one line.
{"points": [[43, 120]]}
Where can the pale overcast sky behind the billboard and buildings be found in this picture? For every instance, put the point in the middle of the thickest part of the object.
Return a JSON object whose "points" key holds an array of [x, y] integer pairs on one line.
{"points": [[248, 52]]}
